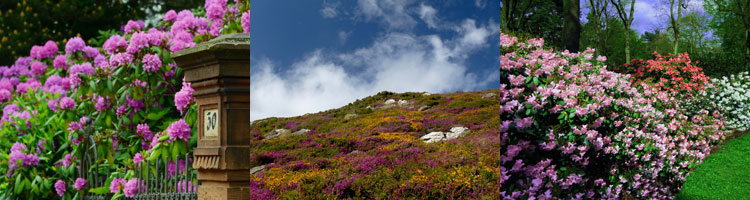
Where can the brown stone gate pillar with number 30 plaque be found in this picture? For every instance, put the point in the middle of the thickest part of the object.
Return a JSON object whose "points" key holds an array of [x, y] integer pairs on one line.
{"points": [[219, 71]]}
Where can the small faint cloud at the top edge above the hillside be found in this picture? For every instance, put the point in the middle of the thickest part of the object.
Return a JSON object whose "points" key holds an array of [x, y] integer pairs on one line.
{"points": [[393, 13]]}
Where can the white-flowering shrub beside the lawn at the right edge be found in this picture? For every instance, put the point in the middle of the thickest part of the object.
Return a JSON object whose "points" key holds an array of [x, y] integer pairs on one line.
{"points": [[731, 96]]}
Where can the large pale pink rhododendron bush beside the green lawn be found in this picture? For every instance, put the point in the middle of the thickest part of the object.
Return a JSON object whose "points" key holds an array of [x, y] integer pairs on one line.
{"points": [[570, 128]]}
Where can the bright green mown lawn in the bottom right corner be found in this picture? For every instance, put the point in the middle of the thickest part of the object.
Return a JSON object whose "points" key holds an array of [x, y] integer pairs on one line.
{"points": [[725, 174]]}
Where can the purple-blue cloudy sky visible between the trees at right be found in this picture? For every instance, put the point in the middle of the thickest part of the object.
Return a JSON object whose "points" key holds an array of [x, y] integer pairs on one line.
{"points": [[650, 14]]}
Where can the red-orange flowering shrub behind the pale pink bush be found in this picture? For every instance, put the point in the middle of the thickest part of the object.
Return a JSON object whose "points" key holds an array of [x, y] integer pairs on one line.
{"points": [[676, 75]]}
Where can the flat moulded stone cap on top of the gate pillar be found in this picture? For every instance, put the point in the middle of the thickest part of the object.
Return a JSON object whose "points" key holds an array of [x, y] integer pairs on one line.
{"points": [[240, 41]]}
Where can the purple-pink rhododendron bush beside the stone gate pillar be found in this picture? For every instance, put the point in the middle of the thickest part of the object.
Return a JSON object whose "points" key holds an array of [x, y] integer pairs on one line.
{"points": [[129, 93]]}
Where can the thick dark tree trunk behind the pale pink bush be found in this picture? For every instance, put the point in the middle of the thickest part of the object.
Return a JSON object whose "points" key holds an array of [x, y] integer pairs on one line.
{"points": [[572, 27]]}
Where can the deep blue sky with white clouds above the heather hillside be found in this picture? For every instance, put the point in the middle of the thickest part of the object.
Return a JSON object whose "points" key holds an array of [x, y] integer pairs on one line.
{"points": [[309, 56]]}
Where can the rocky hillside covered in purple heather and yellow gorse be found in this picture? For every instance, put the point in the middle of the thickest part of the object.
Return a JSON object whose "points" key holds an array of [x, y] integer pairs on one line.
{"points": [[371, 149]]}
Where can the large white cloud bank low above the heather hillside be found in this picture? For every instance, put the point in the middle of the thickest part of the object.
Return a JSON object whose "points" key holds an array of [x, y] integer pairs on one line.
{"points": [[397, 62]]}
